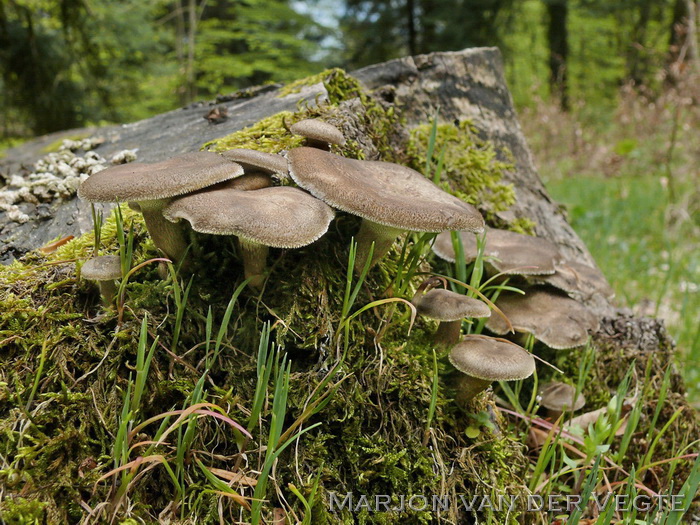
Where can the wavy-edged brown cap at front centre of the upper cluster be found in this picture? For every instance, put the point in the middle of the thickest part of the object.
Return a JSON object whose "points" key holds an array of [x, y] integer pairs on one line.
{"points": [[280, 216]]}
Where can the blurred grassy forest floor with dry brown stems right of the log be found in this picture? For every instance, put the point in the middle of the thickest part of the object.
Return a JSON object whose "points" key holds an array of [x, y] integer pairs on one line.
{"points": [[629, 180]]}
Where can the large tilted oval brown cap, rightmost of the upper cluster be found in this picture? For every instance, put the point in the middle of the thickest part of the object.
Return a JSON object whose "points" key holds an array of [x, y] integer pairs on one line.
{"points": [[381, 192]]}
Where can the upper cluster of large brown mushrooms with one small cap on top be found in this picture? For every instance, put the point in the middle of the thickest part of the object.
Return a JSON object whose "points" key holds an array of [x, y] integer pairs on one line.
{"points": [[237, 193]]}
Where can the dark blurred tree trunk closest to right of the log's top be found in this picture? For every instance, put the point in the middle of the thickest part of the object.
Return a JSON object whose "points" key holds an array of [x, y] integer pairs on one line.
{"points": [[558, 40]]}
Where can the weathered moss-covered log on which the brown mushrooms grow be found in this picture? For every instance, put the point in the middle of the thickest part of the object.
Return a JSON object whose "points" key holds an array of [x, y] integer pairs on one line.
{"points": [[67, 365]]}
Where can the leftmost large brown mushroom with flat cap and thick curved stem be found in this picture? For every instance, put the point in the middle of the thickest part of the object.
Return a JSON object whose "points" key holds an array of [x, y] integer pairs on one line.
{"points": [[151, 186]]}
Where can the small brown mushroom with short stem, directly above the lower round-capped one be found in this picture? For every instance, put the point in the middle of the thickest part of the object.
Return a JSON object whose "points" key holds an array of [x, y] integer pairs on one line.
{"points": [[449, 308]]}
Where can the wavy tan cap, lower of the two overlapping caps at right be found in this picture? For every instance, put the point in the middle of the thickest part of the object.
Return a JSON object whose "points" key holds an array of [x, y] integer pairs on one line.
{"points": [[555, 319]]}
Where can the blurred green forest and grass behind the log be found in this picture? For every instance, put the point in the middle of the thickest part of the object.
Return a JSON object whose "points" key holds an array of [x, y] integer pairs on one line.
{"points": [[608, 92]]}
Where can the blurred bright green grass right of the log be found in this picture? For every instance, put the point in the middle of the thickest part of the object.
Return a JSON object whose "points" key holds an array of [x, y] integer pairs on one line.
{"points": [[651, 261]]}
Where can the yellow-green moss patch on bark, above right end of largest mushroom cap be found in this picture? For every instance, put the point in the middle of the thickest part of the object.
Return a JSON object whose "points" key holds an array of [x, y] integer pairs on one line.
{"points": [[472, 169]]}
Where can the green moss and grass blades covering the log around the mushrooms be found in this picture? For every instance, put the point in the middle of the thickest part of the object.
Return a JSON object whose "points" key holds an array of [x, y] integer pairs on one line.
{"points": [[196, 393]]}
